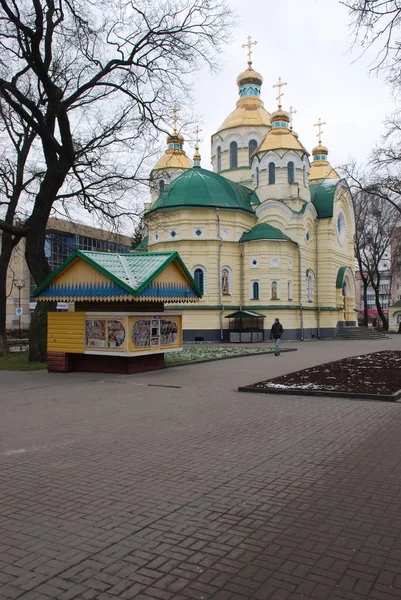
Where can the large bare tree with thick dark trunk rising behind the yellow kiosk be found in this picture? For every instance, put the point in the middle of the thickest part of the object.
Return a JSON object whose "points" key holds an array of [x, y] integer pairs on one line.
{"points": [[93, 83]]}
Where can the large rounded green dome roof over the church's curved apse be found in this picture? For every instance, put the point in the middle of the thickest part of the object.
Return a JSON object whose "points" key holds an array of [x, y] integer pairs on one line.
{"points": [[199, 188]]}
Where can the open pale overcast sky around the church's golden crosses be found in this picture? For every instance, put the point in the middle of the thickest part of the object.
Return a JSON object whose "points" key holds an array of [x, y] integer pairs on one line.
{"points": [[306, 43]]}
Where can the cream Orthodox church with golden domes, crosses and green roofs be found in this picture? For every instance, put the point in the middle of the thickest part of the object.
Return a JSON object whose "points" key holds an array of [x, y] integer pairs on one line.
{"points": [[265, 234]]}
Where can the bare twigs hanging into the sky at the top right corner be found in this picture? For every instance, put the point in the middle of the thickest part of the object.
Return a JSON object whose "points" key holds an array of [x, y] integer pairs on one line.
{"points": [[376, 24]]}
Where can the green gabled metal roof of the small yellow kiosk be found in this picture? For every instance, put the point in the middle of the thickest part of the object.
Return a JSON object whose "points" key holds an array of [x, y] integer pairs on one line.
{"points": [[131, 272]]}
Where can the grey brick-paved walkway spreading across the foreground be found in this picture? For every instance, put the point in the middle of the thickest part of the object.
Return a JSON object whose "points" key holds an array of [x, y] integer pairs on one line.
{"points": [[112, 489]]}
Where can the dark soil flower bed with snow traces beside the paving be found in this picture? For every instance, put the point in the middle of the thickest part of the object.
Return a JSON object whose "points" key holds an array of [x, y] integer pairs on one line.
{"points": [[376, 375]]}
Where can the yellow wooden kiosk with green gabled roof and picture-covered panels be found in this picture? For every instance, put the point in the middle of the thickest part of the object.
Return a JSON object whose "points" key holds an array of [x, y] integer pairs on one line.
{"points": [[116, 322]]}
